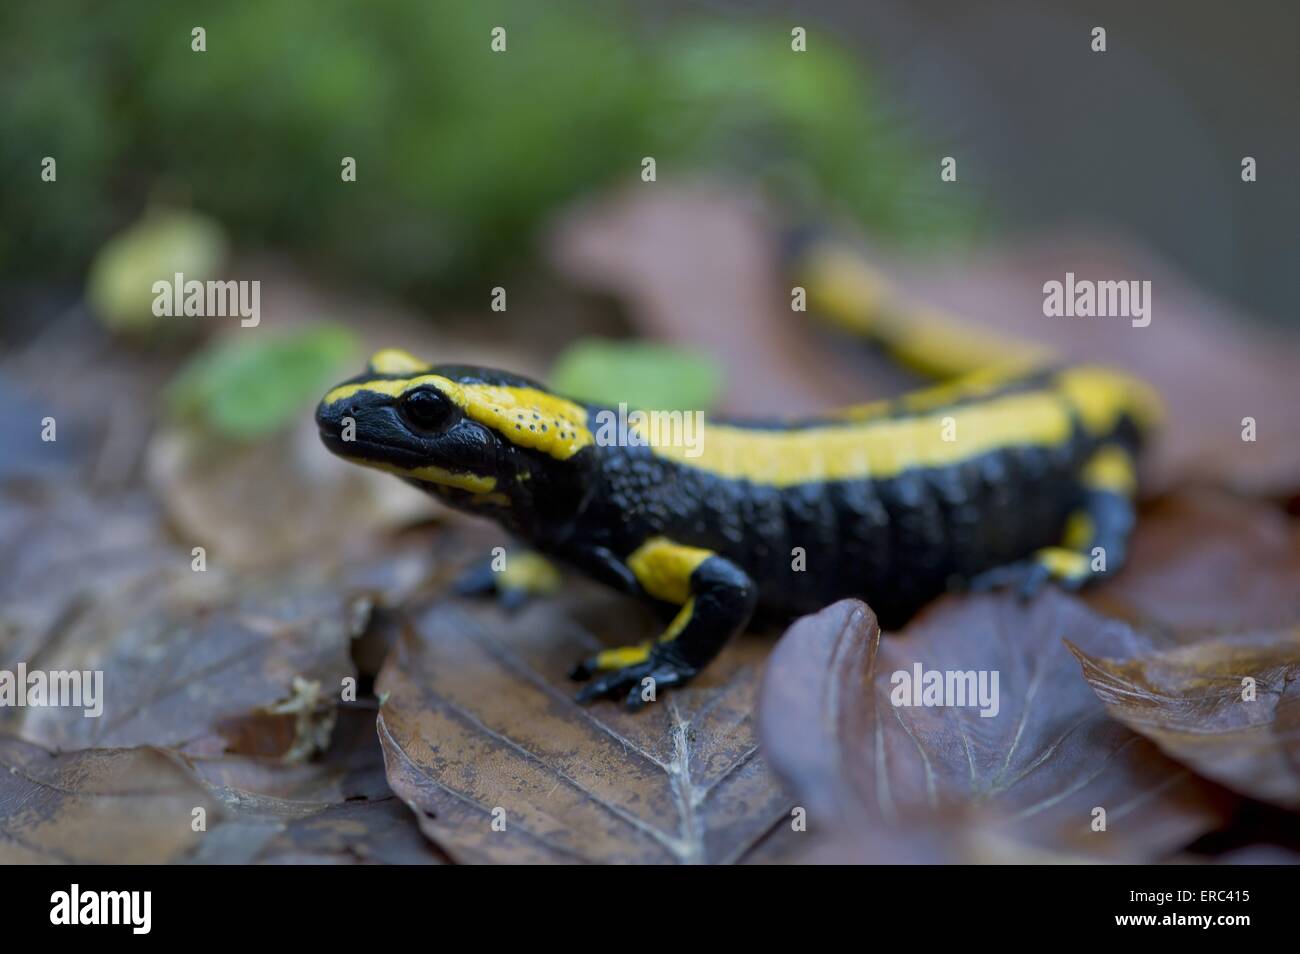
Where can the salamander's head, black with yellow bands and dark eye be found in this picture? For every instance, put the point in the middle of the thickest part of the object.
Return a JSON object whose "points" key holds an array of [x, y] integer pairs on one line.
{"points": [[473, 435]]}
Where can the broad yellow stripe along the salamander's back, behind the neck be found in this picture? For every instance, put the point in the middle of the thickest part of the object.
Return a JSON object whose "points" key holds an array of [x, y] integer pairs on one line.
{"points": [[883, 448]]}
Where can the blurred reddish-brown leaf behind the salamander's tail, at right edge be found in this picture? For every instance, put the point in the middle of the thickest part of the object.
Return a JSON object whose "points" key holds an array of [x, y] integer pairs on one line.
{"points": [[1214, 365]]}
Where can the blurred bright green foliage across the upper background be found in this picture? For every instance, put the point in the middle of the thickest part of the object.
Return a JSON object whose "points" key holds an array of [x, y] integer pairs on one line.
{"points": [[461, 151]]}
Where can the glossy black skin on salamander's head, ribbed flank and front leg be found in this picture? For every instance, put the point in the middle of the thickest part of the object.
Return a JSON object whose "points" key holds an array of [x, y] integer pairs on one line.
{"points": [[895, 543]]}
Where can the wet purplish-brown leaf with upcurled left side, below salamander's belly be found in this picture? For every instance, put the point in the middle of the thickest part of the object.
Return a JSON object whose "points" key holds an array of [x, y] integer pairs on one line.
{"points": [[892, 783]]}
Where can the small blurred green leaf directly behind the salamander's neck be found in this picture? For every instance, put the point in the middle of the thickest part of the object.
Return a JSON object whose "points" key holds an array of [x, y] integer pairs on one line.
{"points": [[640, 374]]}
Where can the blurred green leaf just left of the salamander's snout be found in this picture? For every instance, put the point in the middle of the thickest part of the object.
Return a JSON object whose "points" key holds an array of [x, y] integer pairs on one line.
{"points": [[246, 388]]}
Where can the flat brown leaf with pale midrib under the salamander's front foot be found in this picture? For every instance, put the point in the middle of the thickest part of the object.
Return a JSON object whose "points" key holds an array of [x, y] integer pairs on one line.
{"points": [[479, 717]]}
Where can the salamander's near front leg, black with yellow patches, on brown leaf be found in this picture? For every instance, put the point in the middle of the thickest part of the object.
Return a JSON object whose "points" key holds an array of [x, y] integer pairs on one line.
{"points": [[717, 601]]}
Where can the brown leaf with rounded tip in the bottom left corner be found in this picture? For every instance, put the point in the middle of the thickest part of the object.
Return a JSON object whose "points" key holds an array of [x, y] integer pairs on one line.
{"points": [[106, 806]]}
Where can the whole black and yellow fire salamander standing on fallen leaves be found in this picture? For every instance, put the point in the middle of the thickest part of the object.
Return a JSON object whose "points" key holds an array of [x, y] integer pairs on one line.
{"points": [[1009, 471]]}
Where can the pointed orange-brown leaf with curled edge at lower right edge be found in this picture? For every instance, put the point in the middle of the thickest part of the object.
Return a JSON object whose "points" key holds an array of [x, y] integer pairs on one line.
{"points": [[1227, 708]]}
